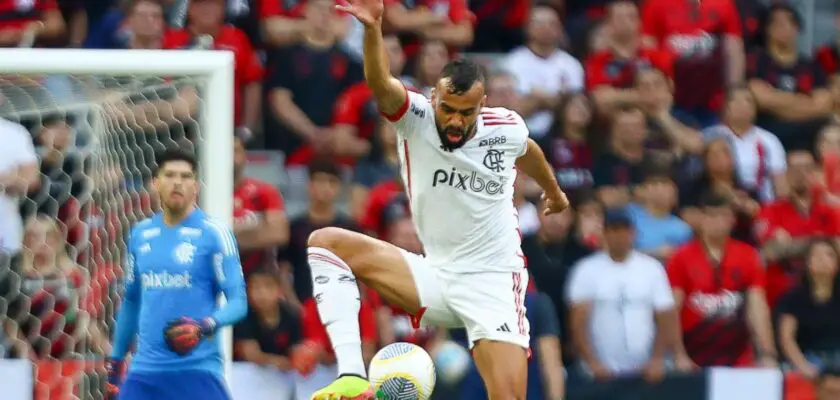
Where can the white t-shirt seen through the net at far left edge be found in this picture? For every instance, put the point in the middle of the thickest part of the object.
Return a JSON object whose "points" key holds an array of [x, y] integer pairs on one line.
{"points": [[16, 151]]}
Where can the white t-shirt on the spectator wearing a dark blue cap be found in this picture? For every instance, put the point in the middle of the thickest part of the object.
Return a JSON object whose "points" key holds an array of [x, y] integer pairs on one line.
{"points": [[625, 297]]}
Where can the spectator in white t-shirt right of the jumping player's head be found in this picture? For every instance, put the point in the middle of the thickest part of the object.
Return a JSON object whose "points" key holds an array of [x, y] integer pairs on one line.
{"points": [[542, 70]]}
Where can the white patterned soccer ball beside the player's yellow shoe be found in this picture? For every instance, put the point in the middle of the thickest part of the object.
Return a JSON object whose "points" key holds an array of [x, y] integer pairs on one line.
{"points": [[402, 371]]}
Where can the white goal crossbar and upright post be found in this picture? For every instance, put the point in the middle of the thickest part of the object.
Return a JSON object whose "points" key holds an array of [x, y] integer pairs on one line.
{"points": [[215, 71]]}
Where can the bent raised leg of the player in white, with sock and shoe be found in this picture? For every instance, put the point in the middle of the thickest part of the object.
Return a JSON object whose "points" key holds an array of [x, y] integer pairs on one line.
{"points": [[337, 258]]}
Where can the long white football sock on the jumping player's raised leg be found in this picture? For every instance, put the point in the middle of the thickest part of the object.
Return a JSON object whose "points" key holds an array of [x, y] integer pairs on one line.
{"points": [[337, 297]]}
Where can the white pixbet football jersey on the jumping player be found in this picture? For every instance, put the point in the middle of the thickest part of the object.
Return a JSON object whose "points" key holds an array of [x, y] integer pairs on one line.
{"points": [[462, 201]]}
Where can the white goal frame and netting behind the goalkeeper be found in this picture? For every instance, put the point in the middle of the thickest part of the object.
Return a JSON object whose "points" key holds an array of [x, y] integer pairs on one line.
{"points": [[96, 119]]}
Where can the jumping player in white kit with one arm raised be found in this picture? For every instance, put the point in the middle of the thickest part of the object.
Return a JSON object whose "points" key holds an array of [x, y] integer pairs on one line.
{"points": [[458, 163]]}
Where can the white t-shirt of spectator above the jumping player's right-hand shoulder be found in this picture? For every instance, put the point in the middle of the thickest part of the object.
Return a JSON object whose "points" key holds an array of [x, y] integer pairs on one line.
{"points": [[556, 74]]}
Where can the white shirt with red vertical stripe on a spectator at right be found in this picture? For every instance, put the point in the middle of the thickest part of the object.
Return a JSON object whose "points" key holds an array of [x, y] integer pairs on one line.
{"points": [[755, 168]]}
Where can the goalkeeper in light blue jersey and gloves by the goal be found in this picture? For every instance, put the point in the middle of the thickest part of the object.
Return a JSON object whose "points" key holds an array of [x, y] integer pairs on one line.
{"points": [[178, 261]]}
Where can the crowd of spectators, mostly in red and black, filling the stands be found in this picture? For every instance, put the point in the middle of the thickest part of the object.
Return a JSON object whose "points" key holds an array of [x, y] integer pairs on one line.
{"points": [[698, 133]]}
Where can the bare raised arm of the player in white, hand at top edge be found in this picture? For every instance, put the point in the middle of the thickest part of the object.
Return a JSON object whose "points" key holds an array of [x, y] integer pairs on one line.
{"points": [[389, 92]]}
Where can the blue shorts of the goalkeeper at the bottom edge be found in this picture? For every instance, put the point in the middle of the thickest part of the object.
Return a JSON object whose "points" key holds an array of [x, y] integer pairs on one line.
{"points": [[173, 385]]}
